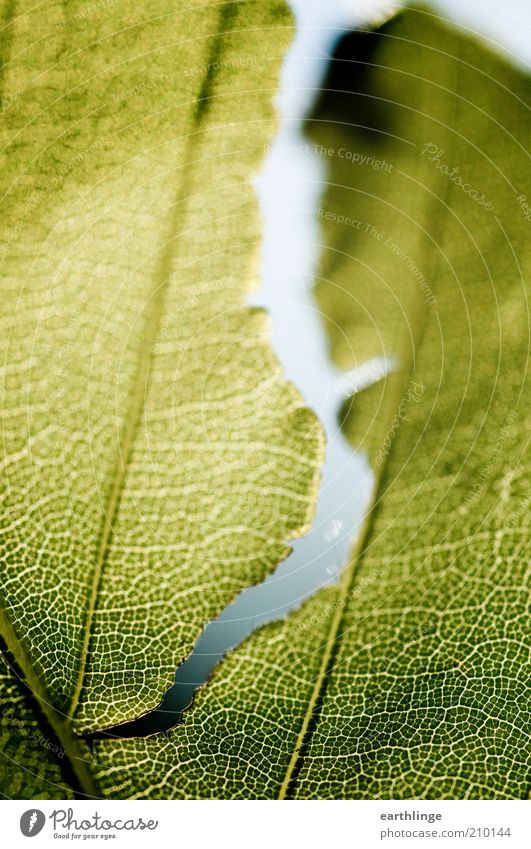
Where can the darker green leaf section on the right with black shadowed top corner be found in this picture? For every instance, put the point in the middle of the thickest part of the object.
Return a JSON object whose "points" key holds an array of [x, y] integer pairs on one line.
{"points": [[409, 680]]}
